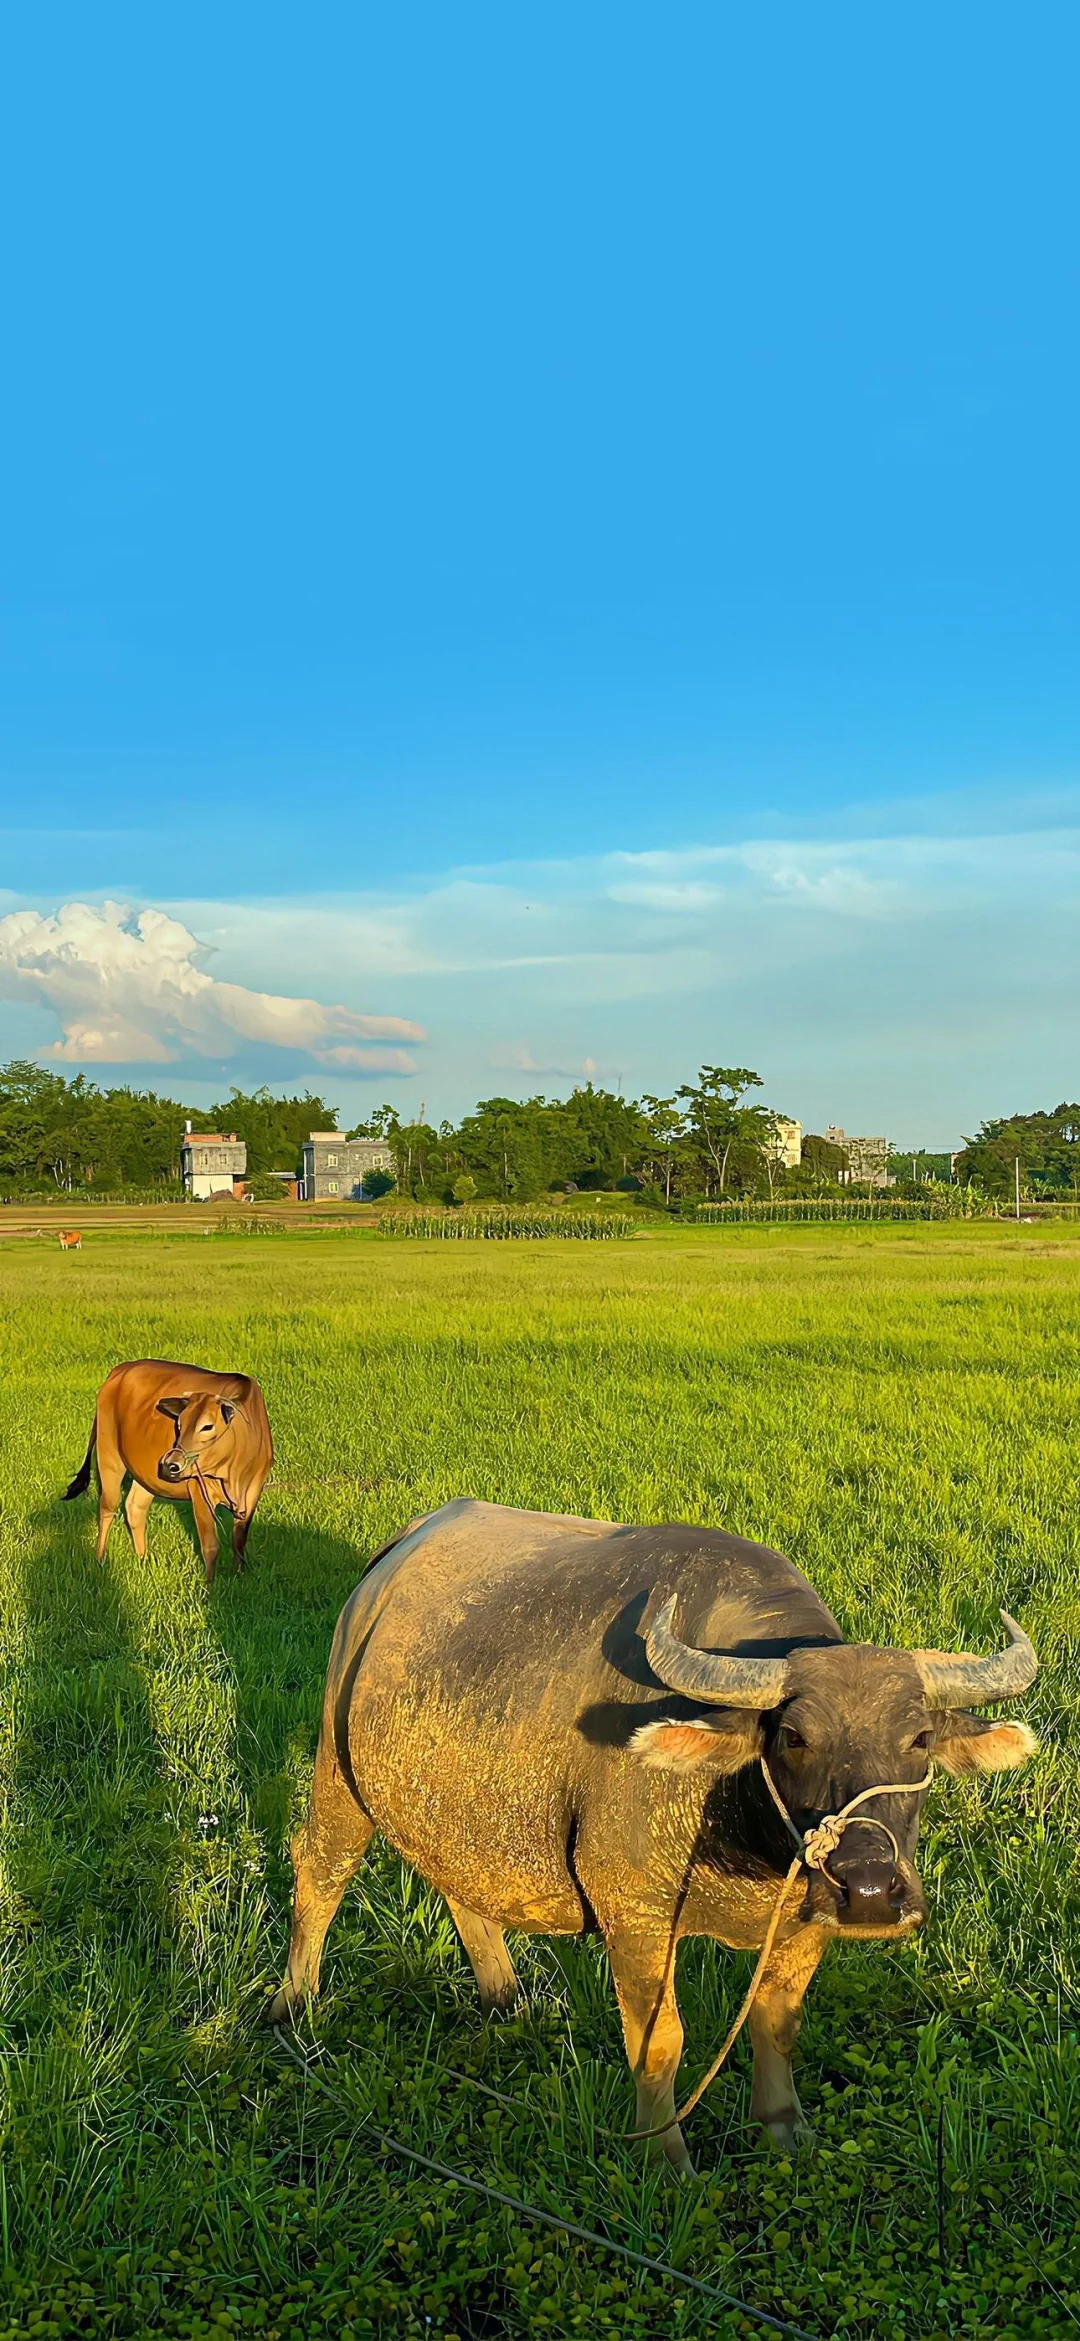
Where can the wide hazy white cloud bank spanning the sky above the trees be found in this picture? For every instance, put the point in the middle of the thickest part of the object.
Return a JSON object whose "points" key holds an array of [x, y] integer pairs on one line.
{"points": [[903, 982]]}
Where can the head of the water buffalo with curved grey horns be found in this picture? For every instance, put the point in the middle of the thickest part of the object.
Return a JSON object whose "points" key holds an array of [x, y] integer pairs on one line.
{"points": [[833, 1722]]}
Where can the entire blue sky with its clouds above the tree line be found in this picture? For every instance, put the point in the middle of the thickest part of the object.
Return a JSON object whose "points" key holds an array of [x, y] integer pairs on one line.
{"points": [[542, 542]]}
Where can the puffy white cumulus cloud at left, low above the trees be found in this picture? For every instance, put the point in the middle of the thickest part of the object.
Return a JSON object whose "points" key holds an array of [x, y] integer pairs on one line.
{"points": [[128, 989]]}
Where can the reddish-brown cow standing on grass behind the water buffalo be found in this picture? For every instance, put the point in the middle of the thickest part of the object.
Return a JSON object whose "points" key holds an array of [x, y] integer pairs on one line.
{"points": [[219, 1455]]}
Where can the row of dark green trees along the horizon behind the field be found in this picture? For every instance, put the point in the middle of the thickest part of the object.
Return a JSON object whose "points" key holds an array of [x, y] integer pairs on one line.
{"points": [[709, 1141]]}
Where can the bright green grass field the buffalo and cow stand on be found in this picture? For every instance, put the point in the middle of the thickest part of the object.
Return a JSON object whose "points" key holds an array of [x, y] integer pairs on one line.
{"points": [[898, 1408]]}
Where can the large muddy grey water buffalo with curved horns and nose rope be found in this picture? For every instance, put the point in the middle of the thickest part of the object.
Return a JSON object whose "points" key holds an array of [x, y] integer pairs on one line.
{"points": [[563, 1724]]}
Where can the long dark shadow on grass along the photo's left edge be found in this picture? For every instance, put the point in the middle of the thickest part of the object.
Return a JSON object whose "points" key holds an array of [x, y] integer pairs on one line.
{"points": [[90, 1853]]}
